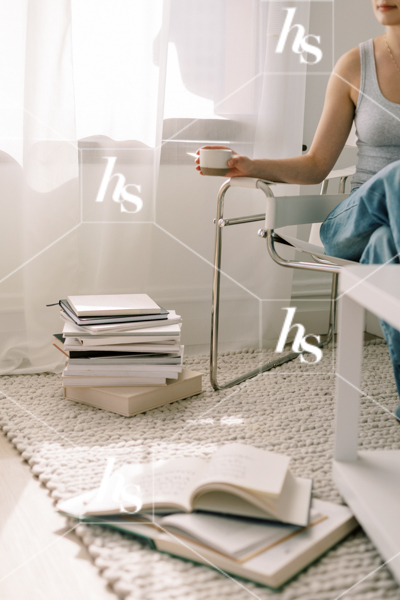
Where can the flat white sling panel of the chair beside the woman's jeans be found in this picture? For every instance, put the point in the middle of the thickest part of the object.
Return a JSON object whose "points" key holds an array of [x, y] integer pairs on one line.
{"points": [[299, 210]]}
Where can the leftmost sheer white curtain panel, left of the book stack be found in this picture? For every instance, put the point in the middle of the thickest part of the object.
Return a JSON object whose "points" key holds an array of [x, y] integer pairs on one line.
{"points": [[38, 178]]}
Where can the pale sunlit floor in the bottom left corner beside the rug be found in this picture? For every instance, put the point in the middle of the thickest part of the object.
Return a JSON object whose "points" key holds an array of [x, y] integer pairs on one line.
{"points": [[39, 560]]}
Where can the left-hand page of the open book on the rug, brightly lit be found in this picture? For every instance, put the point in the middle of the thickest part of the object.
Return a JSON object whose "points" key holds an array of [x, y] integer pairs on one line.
{"points": [[138, 487]]}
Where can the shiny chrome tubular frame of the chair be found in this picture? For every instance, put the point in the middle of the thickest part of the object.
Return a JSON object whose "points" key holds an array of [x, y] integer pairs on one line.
{"points": [[271, 238]]}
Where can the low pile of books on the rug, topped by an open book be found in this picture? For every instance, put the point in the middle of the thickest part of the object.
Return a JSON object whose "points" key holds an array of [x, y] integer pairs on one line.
{"points": [[225, 515]]}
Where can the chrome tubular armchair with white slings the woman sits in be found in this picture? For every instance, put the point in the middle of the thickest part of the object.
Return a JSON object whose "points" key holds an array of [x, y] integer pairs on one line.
{"points": [[280, 212]]}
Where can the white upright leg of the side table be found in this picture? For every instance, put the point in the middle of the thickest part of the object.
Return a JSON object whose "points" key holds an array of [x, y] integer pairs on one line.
{"points": [[350, 348]]}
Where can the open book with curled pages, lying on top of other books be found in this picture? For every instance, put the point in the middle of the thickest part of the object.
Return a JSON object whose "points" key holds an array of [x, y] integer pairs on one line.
{"points": [[237, 480]]}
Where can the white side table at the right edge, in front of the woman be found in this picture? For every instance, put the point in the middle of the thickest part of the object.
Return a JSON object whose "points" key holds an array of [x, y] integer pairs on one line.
{"points": [[369, 481]]}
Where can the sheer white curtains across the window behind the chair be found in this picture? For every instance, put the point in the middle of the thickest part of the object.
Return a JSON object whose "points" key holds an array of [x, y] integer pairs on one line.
{"points": [[100, 103]]}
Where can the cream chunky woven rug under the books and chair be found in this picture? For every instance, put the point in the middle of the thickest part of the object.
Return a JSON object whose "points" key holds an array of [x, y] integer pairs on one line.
{"points": [[289, 410]]}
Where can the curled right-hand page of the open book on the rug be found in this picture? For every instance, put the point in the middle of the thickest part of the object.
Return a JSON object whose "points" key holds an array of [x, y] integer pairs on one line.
{"points": [[247, 467]]}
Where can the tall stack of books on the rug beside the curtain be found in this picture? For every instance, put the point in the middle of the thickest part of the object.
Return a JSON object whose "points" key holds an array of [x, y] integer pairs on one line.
{"points": [[120, 341]]}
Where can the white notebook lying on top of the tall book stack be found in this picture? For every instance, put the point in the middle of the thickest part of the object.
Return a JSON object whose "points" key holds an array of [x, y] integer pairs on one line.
{"points": [[113, 305]]}
